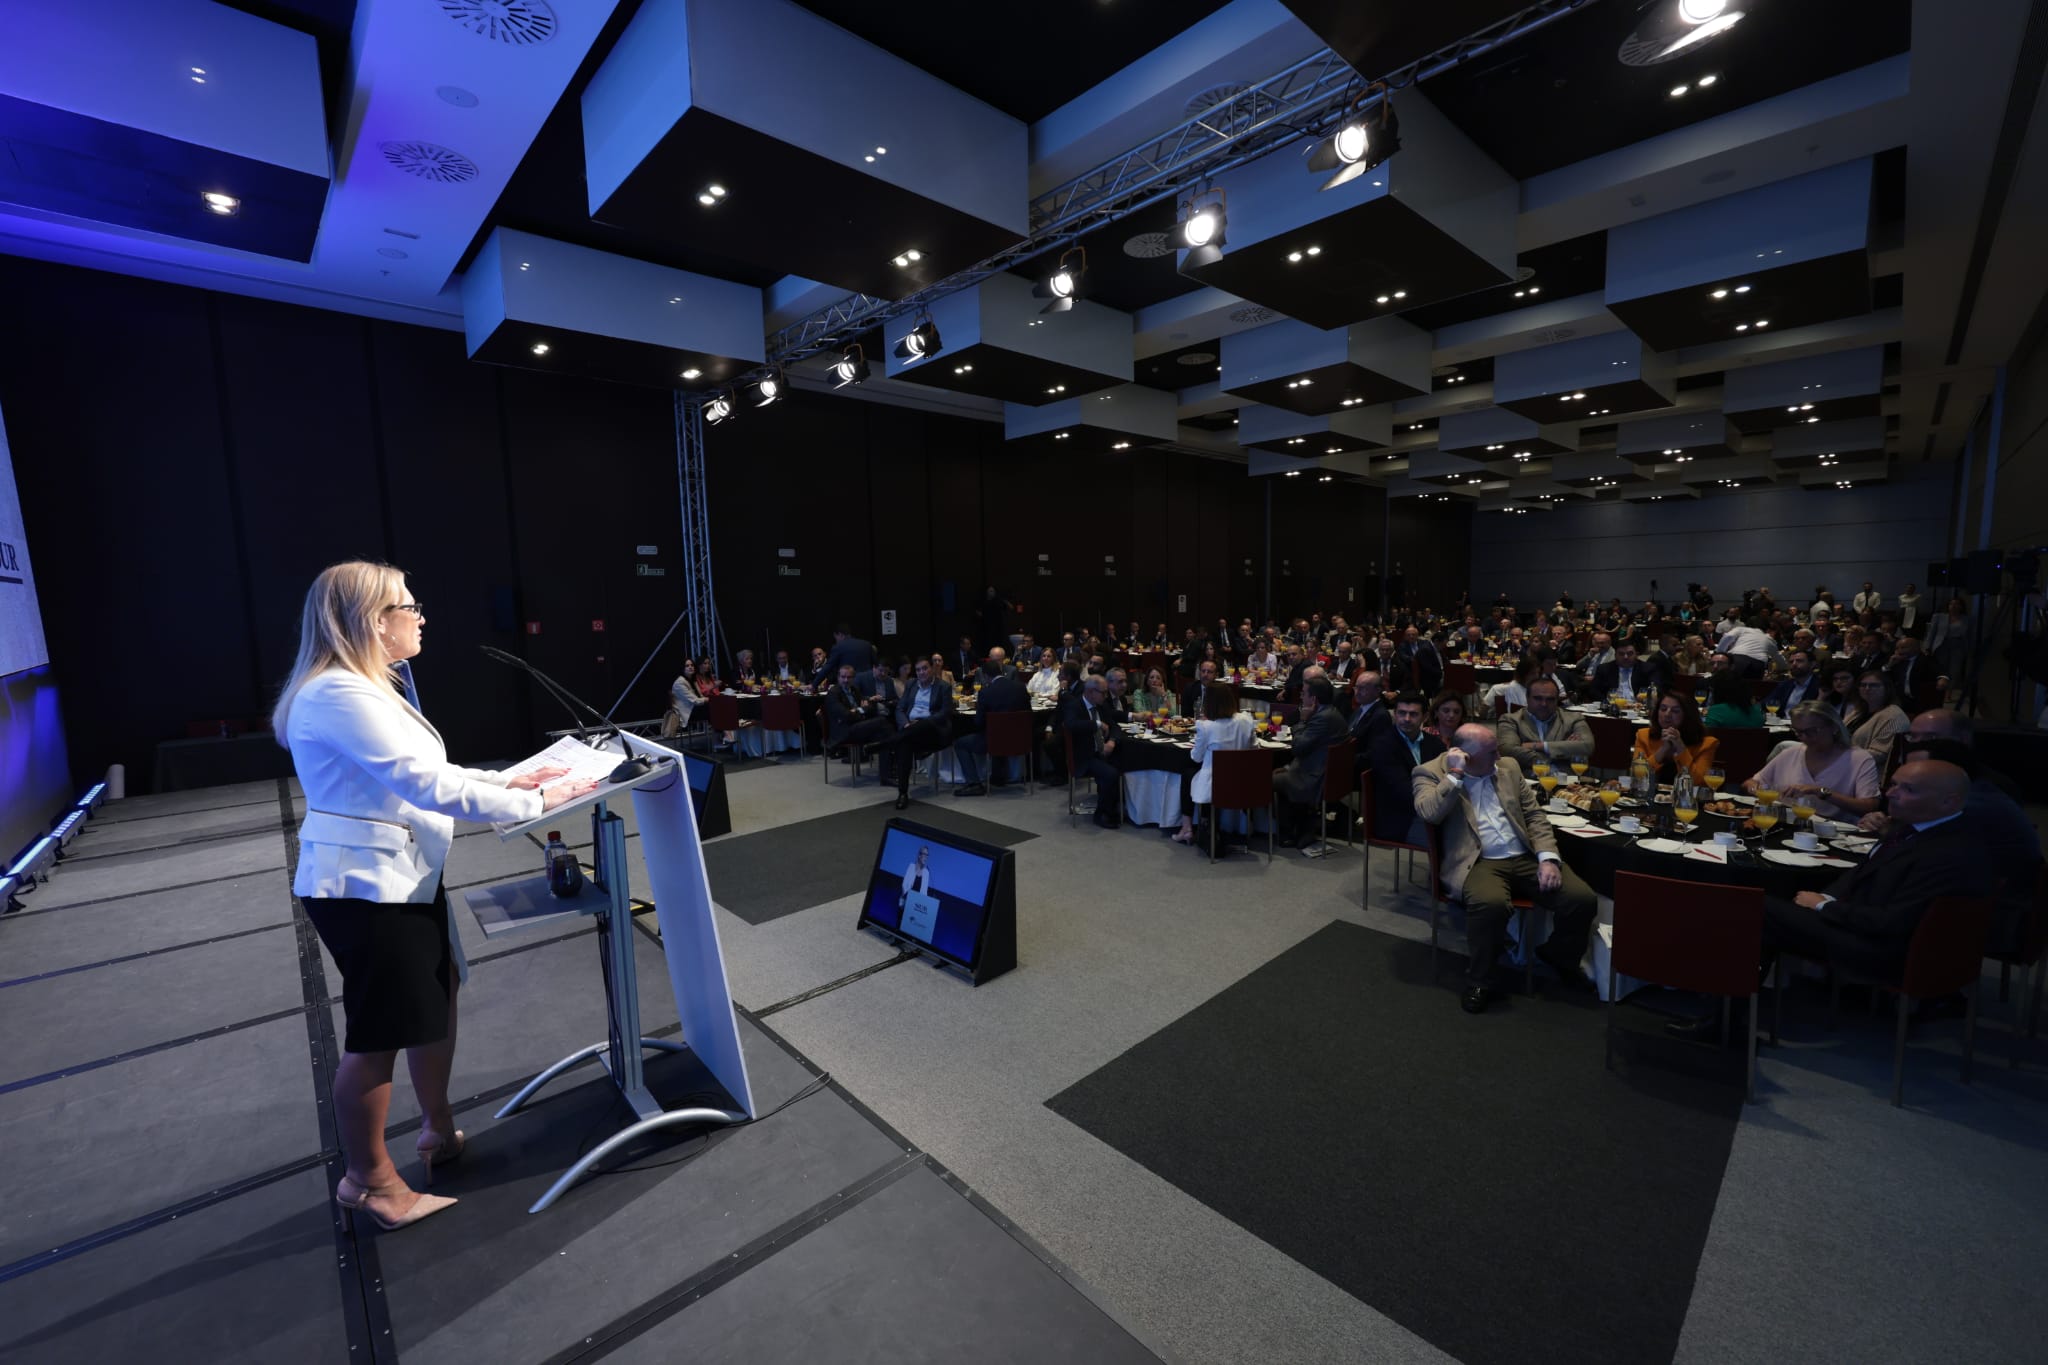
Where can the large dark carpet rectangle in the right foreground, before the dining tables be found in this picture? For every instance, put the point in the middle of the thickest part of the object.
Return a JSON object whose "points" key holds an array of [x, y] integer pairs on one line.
{"points": [[1304, 1100]]}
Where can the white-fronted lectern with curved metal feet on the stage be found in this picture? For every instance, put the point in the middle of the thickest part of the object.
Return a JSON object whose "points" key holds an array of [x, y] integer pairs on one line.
{"points": [[689, 942]]}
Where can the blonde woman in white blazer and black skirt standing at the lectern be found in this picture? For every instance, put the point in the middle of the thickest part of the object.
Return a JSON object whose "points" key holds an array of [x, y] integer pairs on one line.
{"points": [[382, 803]]}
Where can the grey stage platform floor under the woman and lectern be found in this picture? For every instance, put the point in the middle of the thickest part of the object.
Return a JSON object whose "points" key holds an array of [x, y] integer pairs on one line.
{"points": [[171, 1026]]}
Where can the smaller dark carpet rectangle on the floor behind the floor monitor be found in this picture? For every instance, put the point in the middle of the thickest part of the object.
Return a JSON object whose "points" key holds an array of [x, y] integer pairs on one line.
{"points": [[792, 869]]}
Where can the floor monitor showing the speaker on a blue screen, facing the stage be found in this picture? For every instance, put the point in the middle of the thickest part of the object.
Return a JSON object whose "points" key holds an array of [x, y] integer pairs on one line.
{"points": [[947, 897]]}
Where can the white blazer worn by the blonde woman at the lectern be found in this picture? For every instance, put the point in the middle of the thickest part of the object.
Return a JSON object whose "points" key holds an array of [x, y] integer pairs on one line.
{"points": [[382, 797]]}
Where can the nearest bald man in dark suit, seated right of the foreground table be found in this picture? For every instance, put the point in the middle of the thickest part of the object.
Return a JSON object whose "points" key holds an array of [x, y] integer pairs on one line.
{"points": [[1867, 918]]}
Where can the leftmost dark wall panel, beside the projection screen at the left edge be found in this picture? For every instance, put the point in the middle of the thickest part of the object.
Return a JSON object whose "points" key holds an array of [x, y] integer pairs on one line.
{"points": [[116, 427]]}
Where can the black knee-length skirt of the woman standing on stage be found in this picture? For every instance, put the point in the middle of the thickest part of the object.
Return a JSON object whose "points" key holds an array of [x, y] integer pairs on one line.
{"points": [[398, 971]]}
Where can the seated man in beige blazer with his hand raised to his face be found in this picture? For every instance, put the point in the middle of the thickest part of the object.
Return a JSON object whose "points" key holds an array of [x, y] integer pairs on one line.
{"points": [[1500, 846]]}
